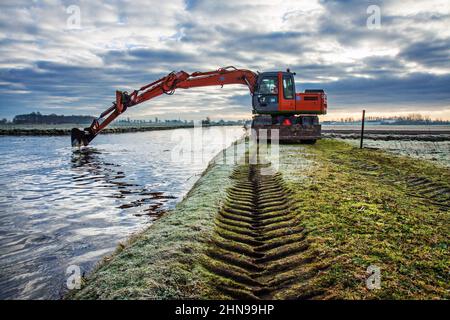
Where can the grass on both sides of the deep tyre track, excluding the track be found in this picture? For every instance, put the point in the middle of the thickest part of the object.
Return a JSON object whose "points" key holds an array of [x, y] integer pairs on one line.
{"points": [[356, 209]]}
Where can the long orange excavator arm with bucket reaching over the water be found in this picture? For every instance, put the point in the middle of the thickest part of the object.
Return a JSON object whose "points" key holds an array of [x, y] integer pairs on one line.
{"points": [[165, 85]]}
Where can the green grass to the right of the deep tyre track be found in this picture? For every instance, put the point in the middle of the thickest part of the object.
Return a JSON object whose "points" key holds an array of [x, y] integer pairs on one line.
{"points": [[357, 217]]}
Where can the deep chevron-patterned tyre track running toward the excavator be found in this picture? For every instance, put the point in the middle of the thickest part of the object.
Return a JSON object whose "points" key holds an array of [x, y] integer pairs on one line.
{"points": [[259, 248]]}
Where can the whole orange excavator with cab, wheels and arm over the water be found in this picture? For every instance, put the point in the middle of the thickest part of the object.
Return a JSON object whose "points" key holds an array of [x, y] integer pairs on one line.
{"points": [[276, 105]]}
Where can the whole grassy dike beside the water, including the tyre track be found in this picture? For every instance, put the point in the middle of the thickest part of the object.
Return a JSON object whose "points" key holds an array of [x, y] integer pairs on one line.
{"points": [[309, 231]]}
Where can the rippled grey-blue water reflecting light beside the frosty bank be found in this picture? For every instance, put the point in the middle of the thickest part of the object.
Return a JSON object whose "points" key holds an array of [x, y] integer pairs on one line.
{"points": [[61, 207]]}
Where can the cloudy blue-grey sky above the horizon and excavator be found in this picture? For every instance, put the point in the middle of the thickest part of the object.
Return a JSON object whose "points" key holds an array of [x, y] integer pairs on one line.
{"points": [[53, 62]]}
